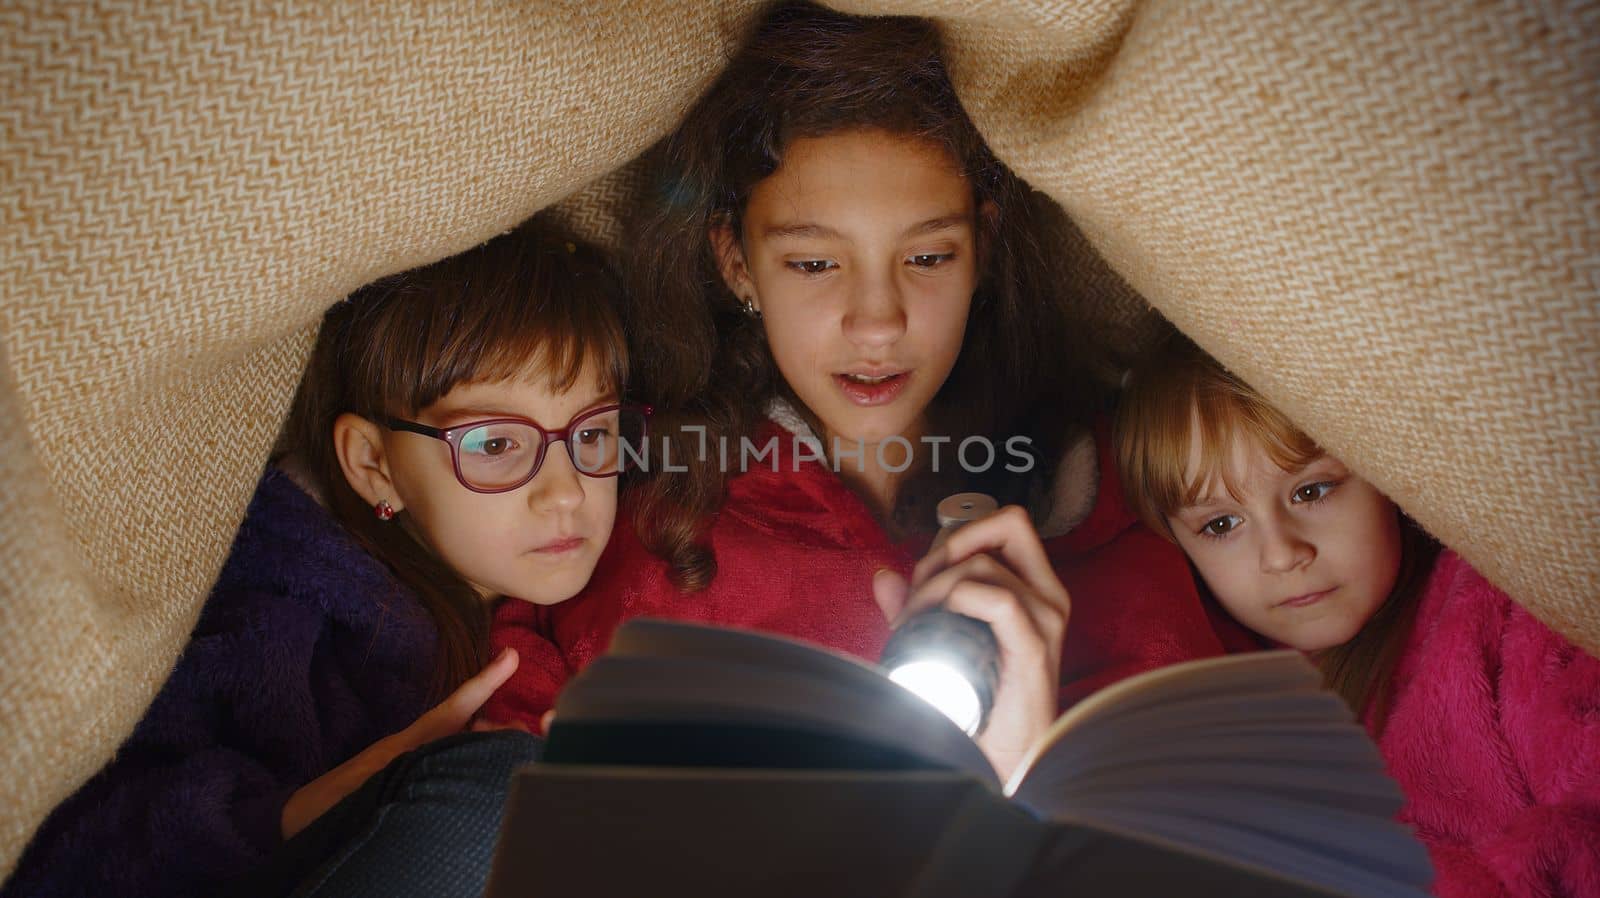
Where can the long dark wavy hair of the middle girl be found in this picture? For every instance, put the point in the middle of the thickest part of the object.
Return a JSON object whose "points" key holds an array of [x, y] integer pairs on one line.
{"points": [[809, 73]]}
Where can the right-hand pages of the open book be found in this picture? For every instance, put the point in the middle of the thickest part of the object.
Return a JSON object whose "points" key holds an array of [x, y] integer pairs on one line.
{"points": [[1246, 760]]}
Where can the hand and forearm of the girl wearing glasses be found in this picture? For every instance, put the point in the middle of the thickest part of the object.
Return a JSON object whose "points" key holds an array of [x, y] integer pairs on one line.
{"points": [[447, 718]]}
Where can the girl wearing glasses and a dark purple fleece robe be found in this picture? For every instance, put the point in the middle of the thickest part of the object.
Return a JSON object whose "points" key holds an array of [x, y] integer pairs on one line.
{"points": [[455, 443]]}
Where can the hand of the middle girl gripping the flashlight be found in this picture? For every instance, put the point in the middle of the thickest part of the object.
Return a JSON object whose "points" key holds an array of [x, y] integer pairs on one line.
{"points": [[996, 571]]}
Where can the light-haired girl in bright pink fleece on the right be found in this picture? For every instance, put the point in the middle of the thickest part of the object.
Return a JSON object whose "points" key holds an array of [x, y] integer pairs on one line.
{"points": [[1487, 718]]}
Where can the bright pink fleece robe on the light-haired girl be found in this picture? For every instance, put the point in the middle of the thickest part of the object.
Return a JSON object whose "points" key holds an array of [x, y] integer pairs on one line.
{"points": [[1495, 737]]}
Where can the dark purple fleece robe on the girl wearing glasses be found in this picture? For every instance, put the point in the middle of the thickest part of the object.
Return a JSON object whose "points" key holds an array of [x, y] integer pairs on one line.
{"points": [[305, 655]]}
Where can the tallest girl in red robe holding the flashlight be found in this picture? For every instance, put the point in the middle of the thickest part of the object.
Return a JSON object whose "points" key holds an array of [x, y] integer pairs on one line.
{"points": [[846, 273]]}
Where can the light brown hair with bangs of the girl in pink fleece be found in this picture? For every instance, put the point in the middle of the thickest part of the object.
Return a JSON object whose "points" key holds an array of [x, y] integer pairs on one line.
{"points": [[1182, 395]]}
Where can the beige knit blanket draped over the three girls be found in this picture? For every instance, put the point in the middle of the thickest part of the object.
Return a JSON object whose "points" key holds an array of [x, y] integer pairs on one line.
{"points": [[1382, 214]]}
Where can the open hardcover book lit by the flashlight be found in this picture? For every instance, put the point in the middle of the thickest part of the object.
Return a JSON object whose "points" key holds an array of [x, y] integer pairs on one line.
{"points": [[703, 761]]}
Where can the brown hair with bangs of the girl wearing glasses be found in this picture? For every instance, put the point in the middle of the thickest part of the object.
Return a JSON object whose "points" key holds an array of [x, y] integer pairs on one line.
{"points": [[399, 345]]}
